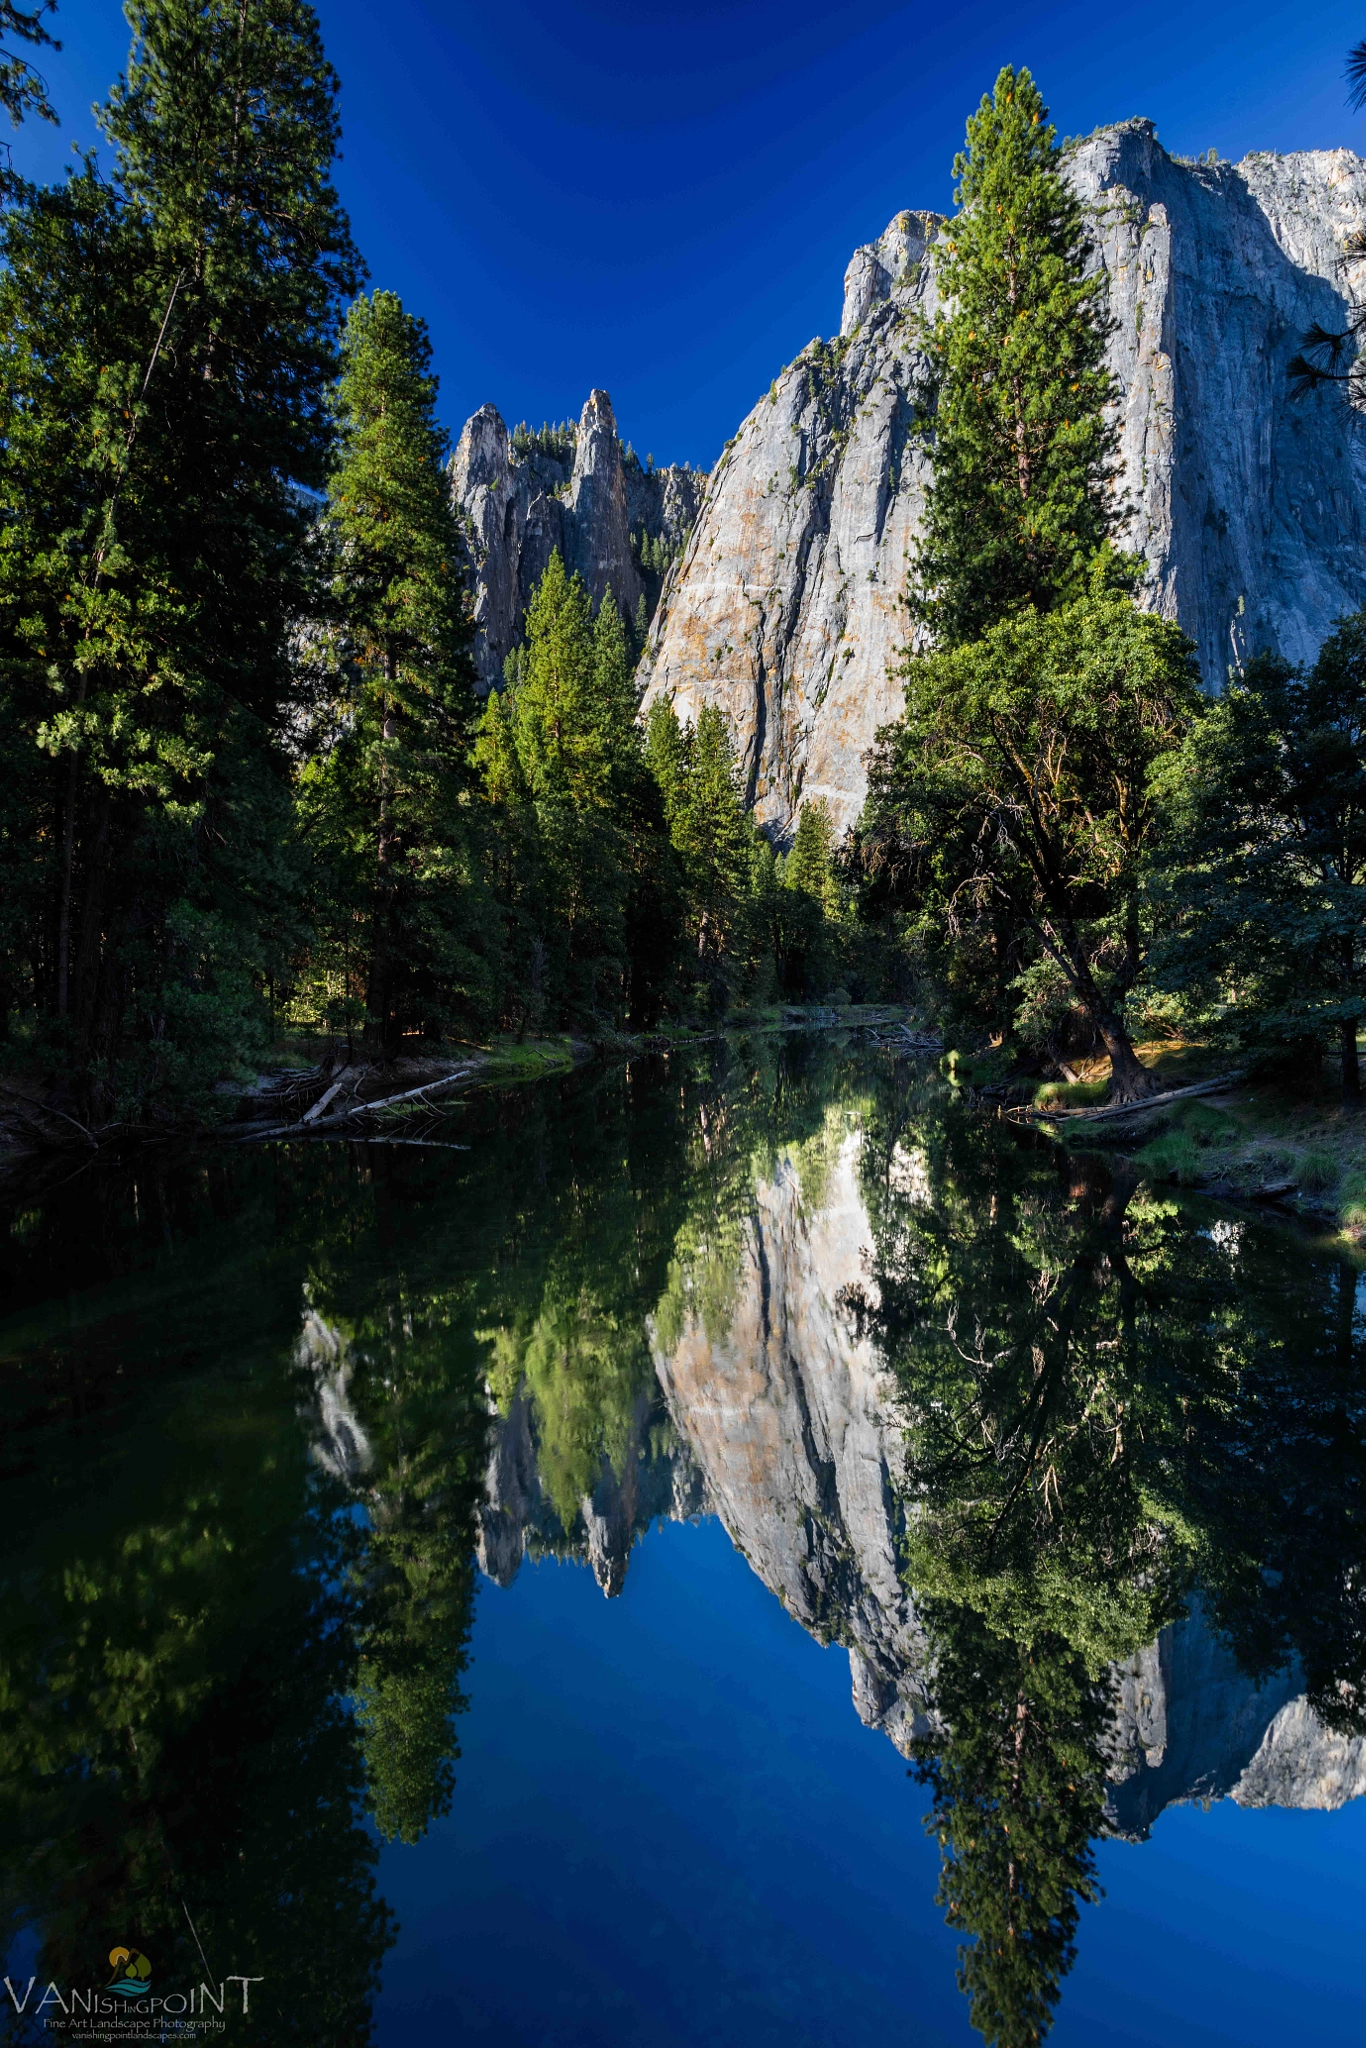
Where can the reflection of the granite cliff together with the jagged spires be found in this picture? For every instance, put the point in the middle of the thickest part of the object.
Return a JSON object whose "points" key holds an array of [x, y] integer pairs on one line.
{"points": [[771, 1412]]}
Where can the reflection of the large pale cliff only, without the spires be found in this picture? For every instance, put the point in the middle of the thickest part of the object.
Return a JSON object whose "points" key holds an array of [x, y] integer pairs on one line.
{"points": [[789, 1422]]}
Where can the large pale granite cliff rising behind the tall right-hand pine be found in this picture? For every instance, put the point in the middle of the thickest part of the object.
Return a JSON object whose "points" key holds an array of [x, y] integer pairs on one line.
{"points": [[1248, 507]]}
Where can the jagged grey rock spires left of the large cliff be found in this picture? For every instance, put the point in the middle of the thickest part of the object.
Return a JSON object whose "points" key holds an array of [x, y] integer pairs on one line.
{"points": [[589, 501]]}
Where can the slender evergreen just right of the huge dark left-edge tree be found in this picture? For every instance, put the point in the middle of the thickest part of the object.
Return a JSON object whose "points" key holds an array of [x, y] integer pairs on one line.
{"points": [[392, 787]]}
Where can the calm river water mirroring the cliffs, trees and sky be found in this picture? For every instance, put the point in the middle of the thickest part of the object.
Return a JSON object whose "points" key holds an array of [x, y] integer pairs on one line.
{"points": [[716, 1553]]}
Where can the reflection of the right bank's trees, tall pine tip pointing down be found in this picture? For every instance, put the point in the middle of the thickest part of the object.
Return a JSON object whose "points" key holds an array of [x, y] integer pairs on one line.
{"points": [[1101, 1408]]}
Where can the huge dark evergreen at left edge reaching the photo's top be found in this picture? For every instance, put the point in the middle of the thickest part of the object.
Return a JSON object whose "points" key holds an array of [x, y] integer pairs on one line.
{"points": [[167, 349]]}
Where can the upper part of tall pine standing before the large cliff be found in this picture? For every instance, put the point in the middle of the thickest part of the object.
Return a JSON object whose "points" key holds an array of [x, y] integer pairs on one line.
{"points": [[1023, 456]]}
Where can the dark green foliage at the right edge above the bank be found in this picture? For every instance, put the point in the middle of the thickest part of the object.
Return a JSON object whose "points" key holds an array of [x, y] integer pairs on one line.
{"points": [[1263, 878]]}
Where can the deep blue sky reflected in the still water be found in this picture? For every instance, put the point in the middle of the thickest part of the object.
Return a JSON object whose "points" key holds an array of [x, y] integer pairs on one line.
{"points": [[671, 1830]]}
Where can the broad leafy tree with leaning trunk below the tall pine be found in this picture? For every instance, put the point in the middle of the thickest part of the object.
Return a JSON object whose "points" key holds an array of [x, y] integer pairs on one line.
{"points": [[1013, 802]]}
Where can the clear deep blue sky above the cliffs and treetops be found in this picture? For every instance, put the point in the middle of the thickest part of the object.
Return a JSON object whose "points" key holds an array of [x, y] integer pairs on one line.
{"points": [[663, 200]]}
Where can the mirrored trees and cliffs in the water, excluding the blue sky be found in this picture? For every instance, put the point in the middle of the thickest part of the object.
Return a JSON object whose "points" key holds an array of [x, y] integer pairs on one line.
{"points": [[1072, 1471]]}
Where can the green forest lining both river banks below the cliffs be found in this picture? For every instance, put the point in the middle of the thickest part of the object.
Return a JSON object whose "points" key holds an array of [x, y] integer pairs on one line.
{"points": [[253, 794]]}
